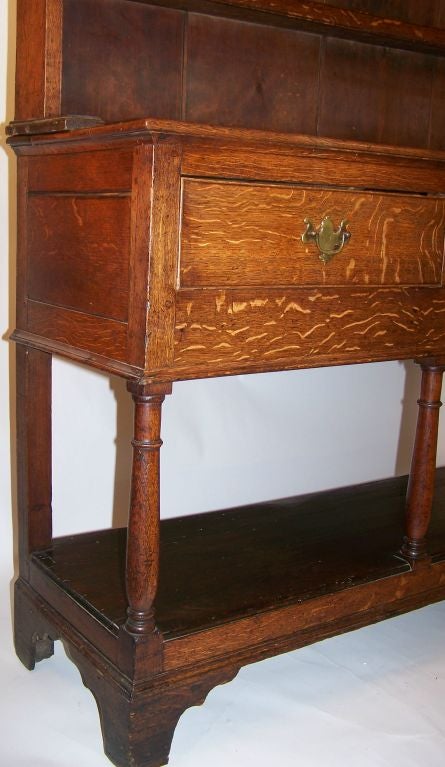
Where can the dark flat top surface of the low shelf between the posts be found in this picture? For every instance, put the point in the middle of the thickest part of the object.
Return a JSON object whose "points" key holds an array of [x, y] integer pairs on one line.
{"points": [[229, 565]]}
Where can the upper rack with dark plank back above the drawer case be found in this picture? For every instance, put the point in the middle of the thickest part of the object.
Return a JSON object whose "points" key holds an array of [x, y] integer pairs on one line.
{"points": [[282, 66]]}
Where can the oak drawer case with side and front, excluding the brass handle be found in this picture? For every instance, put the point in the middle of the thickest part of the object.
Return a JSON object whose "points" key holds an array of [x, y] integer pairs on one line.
{"points": [[182, 253]]}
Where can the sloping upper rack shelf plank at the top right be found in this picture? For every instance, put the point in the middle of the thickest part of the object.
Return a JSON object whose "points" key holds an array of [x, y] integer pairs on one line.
{"points": [[321, 18]]}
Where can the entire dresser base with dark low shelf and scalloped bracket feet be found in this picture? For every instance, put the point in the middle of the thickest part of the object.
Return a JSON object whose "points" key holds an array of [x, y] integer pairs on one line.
{"points": [[236, 586]]}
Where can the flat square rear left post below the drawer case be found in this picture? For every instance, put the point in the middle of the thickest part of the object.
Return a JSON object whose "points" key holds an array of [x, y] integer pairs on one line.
{"points": [[33, 452]]}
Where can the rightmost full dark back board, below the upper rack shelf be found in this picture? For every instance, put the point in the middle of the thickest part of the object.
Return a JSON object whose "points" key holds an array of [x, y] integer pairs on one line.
{"points": [[363, 105]]}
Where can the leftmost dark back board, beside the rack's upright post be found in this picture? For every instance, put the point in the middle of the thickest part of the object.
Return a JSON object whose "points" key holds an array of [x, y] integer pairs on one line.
{"points": [[121, 59]]}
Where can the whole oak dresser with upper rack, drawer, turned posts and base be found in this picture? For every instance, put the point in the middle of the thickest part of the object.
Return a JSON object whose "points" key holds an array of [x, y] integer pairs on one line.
{"points": [[160, 249]]}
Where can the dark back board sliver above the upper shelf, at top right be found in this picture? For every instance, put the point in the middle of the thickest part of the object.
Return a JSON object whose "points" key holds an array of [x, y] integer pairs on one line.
{"points": [[411, 11]]}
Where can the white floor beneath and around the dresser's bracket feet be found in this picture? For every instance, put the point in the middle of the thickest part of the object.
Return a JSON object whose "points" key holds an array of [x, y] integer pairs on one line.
{"points": [[371, 698]]}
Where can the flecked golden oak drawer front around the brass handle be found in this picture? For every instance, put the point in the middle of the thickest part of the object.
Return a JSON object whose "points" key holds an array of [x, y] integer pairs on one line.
{"points": [[244, 234]]}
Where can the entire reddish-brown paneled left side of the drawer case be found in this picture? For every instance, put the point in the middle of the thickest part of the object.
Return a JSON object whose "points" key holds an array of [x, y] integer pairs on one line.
{"points": [[83, 252]]}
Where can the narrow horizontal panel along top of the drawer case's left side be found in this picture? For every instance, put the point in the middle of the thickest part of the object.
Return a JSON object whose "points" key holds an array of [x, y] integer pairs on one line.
{"points": [[101, 171]]}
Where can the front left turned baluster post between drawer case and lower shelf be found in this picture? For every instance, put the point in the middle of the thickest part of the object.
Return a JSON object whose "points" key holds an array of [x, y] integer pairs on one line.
{"points": [[144, 520]]}
